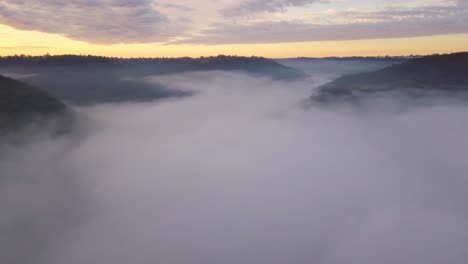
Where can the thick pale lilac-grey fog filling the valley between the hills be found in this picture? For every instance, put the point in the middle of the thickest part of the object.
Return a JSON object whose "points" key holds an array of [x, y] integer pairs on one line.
{"points": [[239, 173]]}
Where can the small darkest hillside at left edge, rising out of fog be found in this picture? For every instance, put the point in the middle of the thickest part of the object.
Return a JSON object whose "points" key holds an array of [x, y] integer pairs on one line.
{"points": [[21, 104]]}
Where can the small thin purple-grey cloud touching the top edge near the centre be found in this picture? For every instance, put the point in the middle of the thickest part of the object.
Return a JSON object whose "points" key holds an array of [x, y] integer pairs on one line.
{"points": [[247, 7]]}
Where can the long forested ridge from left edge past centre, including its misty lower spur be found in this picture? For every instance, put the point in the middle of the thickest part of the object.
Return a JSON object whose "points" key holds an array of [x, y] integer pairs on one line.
{"points": [[88, 80]]}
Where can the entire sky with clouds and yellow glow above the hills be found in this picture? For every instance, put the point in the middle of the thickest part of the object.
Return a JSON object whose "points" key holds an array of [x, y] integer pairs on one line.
{"points": [[271, 28]]}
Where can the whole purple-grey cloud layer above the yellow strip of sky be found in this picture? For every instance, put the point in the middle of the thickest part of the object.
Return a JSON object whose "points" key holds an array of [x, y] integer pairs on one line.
{"points": [[229, 22]]}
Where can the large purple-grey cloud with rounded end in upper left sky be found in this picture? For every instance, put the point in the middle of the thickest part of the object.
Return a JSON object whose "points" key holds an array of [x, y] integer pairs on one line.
{"points": [[96, 21]]}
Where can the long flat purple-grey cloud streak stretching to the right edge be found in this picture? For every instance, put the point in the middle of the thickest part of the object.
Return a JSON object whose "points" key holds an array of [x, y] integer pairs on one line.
{"points": [[390, 23]]}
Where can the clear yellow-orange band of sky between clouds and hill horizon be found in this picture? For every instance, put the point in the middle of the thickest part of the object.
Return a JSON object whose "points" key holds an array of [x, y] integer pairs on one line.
{"points": [[15, 41]]}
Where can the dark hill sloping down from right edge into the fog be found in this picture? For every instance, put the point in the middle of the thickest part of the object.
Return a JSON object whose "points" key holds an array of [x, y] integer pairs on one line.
{"points": [[430, 75]]}
